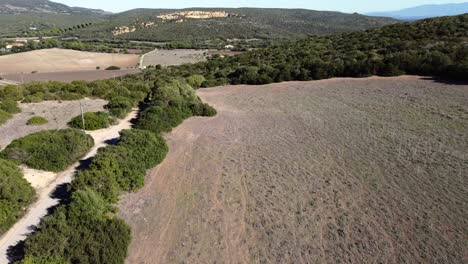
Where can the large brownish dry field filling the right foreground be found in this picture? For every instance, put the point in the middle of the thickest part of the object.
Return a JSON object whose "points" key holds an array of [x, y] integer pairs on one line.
{"points": [[335, 171]]}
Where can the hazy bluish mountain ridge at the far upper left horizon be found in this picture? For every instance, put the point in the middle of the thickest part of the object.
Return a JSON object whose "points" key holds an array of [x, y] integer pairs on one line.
{"points": [[42, 6]]}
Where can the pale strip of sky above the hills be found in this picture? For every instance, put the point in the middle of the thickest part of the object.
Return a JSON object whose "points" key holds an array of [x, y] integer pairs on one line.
{"points": [[349, 6]]}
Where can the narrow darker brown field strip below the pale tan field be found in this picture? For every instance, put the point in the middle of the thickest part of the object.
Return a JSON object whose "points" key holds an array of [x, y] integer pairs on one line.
{"points": [[90, 75]]}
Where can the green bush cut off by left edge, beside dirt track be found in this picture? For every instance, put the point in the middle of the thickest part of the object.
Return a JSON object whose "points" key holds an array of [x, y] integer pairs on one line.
{"points": [[15, 194]]}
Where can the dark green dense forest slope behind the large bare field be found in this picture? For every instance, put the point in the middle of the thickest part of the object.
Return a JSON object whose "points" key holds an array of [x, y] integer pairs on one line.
{"points": [[429, 47]]}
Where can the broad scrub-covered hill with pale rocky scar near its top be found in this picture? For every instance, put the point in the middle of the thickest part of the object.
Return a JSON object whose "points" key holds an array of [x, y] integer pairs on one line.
{"points": [[243, 23]]}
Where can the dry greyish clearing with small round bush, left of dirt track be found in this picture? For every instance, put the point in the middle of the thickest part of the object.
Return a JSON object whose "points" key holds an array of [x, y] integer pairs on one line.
{"points": [[57, 113]]}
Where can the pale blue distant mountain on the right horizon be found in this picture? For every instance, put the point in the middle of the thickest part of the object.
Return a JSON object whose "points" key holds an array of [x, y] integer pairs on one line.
{"points": [[425, 11]]}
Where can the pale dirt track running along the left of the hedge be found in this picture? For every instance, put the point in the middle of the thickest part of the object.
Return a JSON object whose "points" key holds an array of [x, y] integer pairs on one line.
{"points": [[45, 200]]}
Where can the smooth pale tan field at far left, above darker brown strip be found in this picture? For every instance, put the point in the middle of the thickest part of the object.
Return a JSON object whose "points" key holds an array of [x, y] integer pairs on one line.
{"points": [[52, 60]]}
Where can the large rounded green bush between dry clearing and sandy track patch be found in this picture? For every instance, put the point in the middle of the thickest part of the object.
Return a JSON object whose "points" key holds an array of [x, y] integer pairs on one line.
{"points": [[50, 150]]}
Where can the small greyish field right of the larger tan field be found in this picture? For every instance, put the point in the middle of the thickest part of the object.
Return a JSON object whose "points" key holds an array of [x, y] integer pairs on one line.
{"points": [[173, 57]]}
